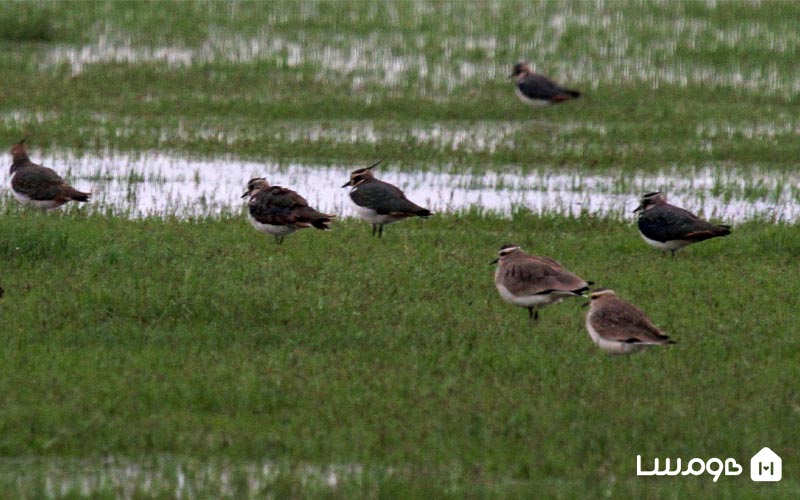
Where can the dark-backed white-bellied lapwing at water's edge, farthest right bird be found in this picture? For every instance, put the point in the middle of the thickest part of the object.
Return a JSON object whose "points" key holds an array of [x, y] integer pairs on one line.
{"points": [[671, 228]]}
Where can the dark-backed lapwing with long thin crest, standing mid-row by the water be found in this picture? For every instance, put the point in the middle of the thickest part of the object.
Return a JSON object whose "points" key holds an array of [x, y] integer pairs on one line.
{"points": [[378, 202]]}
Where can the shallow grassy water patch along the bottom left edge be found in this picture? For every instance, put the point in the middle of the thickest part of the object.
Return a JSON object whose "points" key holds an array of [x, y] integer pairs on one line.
{"points": [[168, 476]]}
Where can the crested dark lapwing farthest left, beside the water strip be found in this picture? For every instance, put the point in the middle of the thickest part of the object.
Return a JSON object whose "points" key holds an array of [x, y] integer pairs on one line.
{"points": [[39, 186]]}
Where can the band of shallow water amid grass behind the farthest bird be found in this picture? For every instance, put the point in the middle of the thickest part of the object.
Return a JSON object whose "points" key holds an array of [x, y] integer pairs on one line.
{"points": [[434, 64]]}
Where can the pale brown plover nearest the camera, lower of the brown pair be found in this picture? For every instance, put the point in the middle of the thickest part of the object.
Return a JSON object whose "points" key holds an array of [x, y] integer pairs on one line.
{"points": [[619, 327]]}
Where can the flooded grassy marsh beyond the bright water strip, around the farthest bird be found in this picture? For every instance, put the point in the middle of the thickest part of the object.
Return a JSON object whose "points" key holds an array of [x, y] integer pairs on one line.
{"points": [[665, 83]]}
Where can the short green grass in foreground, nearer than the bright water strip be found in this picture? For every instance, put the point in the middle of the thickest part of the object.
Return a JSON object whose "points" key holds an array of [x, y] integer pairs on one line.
{"points": [[204, 338]]}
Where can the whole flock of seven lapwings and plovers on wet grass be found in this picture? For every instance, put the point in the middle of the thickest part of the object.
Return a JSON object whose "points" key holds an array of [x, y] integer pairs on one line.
{"points": [[524, 280]]}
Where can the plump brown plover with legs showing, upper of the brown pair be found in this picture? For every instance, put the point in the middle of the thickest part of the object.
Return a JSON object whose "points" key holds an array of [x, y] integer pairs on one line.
{"points": [[532, 281]]}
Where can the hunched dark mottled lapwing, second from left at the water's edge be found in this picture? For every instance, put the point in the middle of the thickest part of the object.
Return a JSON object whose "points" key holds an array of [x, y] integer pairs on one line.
{"points": [[280, 211]]}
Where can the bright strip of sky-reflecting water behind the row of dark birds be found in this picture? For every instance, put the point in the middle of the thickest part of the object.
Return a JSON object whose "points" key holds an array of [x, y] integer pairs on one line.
{"points": [[155, 184]]}
